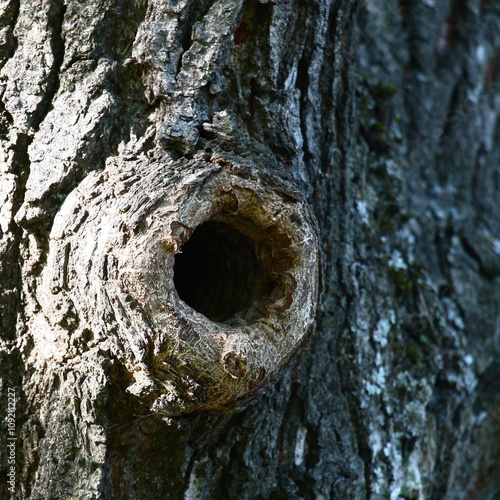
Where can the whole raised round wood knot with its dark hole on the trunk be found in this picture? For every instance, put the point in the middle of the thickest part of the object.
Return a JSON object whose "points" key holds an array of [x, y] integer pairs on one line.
{"points": [[208, 279]]}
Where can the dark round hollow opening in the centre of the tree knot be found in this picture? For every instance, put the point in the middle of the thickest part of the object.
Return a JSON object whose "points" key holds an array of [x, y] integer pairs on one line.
{"points": [[224, 273]]}
